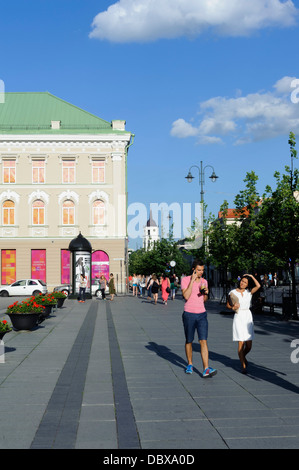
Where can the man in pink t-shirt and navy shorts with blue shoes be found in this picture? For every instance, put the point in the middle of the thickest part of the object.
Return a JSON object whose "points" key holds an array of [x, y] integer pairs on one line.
{"points": [[195, 292]]}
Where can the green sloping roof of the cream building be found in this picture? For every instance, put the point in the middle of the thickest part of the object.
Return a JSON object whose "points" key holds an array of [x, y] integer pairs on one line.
{"points": [[32, 113]]}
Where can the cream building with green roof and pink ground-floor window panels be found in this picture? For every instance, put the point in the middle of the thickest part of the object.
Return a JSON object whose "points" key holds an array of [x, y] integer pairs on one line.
{"points": [[62, 171]]}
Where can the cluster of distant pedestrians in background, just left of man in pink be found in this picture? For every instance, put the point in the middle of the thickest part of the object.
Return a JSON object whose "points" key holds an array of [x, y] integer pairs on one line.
{"points": [[152, 284]]}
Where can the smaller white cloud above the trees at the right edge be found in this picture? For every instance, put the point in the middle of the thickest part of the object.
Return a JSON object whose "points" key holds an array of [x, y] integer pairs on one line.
{"points": [[255, 117]]}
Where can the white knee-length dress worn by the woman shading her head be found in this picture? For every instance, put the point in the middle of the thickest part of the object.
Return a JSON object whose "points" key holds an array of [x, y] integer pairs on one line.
{"points": [[243, 322]]}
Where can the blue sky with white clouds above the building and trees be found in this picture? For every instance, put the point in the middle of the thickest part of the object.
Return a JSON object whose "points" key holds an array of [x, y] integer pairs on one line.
{"points": [[195, 80]]}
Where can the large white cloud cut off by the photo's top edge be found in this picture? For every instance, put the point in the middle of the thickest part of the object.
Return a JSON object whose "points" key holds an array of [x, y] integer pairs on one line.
{"points": [[149, 20]]}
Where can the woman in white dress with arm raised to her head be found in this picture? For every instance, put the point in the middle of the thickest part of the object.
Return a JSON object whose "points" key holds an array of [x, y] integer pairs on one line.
{"points": [[240, 302]]}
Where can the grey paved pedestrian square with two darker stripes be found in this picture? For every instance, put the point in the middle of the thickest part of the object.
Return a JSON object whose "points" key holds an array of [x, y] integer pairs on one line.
{"points": [[111, 375]]}
